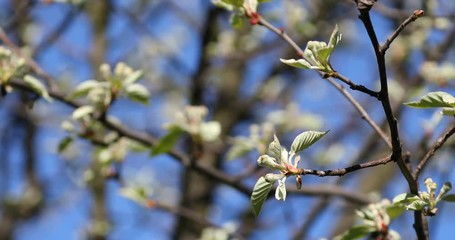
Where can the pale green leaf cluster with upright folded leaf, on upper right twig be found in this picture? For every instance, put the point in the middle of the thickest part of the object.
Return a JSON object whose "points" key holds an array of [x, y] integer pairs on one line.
{"points": [[317, 54]]}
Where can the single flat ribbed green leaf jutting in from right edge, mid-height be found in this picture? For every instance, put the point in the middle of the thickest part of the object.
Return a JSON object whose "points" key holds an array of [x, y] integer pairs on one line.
{"points": [[434, 100]]}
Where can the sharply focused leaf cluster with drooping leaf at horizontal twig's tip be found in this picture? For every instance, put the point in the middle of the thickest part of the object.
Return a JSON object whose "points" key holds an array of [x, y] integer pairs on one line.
{"points": [[278, 158]]}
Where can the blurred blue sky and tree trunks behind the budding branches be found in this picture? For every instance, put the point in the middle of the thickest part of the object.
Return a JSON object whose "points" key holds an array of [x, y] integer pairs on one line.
{"points": [[191, 55]]}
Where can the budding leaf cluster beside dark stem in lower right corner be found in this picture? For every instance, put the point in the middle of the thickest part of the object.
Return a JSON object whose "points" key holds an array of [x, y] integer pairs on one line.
{"points": [[425, 201]]}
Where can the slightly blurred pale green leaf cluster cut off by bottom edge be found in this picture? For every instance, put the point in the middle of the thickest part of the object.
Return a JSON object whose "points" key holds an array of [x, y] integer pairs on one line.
{"points": [[375, 219]]}
